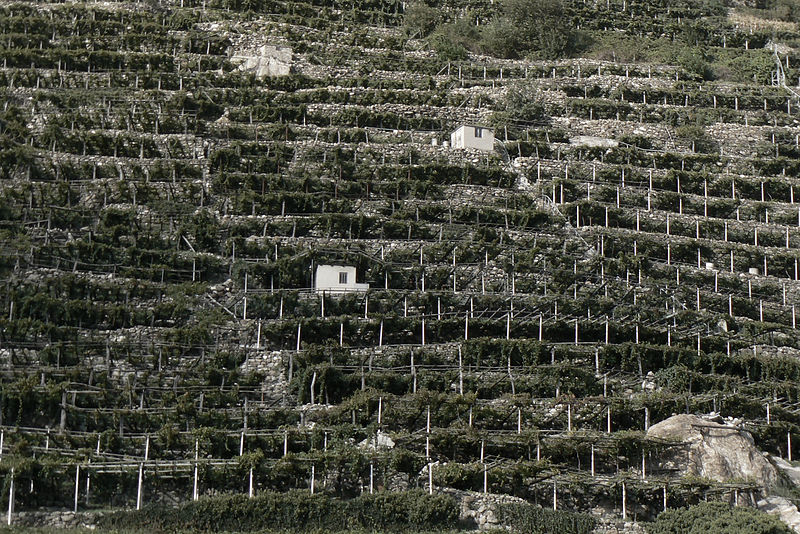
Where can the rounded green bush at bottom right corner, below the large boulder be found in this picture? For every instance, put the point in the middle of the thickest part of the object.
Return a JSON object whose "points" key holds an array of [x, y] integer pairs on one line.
{"points": [[716, 518]]}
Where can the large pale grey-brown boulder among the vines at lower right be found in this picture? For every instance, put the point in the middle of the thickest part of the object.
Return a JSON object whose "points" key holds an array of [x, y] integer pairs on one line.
{"points": [[714, 450]]}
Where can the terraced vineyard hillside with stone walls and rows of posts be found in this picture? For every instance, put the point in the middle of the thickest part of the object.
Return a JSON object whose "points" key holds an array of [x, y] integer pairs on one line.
{"points": [[627, 252]]}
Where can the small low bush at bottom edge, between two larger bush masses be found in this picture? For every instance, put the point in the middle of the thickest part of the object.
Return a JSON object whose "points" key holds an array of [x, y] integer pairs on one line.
{"points": [[530, 519]]}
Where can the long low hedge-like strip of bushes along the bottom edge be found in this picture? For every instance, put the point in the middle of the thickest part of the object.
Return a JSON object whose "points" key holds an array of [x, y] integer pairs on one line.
{"points": [[296, 510]]}
